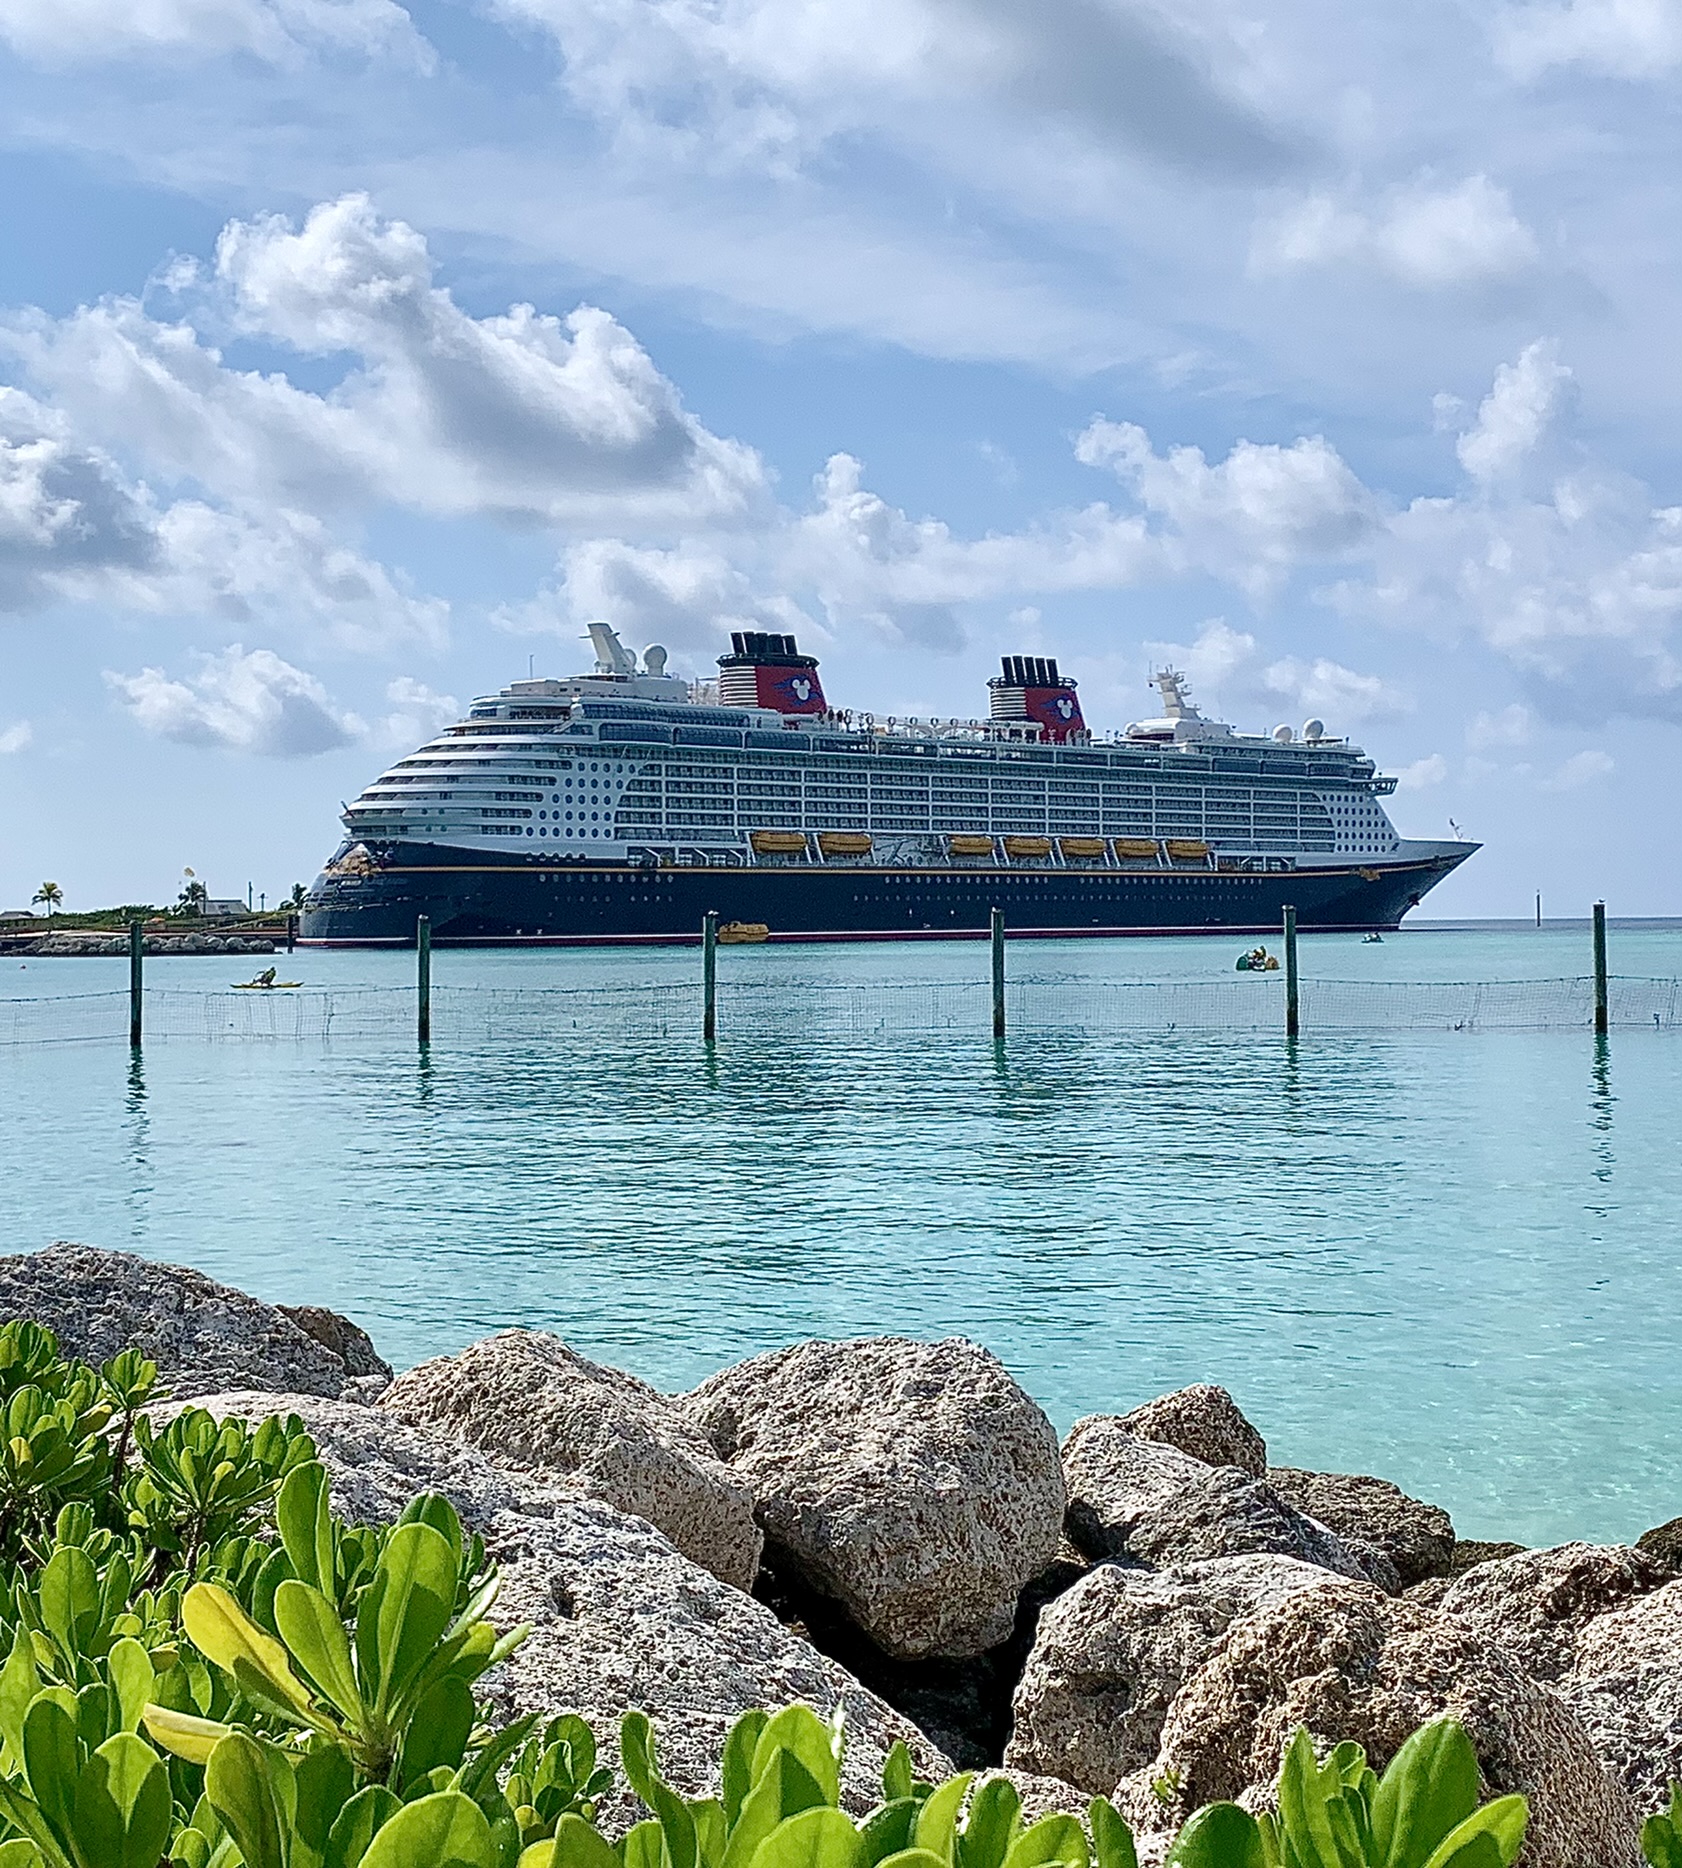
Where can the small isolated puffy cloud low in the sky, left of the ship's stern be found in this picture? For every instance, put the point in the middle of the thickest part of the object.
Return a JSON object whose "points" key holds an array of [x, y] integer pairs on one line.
{"points": [[240, 701]]}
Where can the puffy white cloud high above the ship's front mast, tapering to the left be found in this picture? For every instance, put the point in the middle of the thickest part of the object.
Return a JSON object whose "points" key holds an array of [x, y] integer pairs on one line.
{"points": [[1253, 517]]}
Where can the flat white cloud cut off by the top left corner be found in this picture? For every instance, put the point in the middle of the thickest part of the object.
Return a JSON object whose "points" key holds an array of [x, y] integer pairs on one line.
{"points": [[278, 31]]}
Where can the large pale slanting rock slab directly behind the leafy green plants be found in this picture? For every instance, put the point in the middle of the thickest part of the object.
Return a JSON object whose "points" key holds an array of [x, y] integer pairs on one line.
{"points": [[620, 1617]]}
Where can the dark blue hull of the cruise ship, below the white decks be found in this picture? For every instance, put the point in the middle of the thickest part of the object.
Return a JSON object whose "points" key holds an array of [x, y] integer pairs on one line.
{"points": [[474, 899]]}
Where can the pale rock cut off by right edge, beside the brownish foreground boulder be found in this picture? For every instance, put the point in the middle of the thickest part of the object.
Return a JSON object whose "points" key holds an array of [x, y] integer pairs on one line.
{"points": [[1627, 1690]]}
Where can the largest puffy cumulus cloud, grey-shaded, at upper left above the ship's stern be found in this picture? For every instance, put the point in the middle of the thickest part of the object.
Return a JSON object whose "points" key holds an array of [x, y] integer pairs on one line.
{"points": [[522, 417]]}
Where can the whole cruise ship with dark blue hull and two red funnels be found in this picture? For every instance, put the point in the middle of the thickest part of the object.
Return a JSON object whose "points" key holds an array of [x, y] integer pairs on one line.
{"points": [[629, 804]]}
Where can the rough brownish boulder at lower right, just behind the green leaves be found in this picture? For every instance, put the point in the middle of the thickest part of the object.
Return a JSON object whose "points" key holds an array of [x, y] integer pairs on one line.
{"points": [[1354, 1665]]}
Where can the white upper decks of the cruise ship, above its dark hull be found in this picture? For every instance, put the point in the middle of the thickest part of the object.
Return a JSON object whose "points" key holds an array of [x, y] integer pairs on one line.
{"points": [[634, 765]]}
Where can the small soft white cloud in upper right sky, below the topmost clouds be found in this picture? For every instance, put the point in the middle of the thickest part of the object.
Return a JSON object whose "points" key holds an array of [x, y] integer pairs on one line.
{"points": [[1425, 236]]}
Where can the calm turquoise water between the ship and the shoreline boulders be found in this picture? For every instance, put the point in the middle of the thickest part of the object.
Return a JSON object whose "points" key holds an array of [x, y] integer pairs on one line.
{"points": [[1447, 1258]]}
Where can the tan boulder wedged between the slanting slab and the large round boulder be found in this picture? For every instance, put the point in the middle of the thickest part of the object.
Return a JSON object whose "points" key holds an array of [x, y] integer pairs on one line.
{"points": [[528, 1398]]}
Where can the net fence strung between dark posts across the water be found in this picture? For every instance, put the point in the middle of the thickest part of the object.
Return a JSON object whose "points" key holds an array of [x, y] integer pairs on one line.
{"points": [[1251, 1002]]}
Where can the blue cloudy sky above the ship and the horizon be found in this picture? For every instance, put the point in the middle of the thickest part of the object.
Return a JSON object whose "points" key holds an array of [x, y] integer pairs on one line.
{"points": [[356, 356]]}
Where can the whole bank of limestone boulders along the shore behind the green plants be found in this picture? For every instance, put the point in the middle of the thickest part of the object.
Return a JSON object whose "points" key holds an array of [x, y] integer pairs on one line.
{"points": [[1145, 1611]]}
